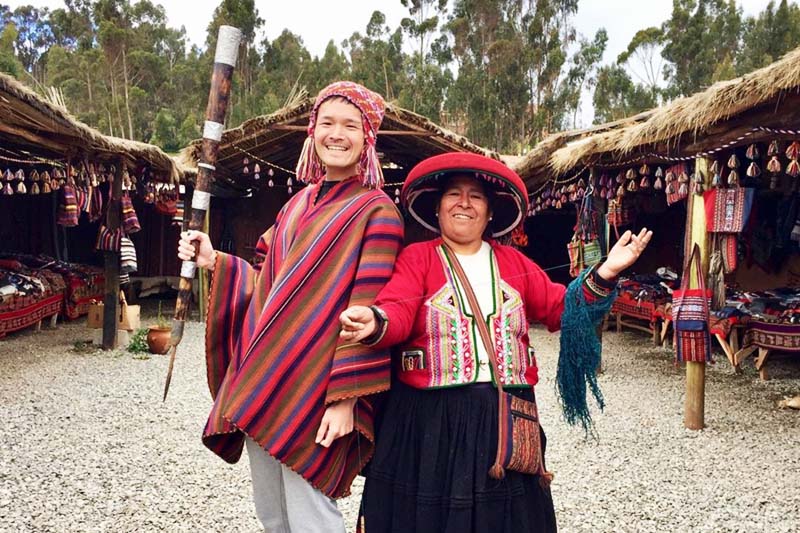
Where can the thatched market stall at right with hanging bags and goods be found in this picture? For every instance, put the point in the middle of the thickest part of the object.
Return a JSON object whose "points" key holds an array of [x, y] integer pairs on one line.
{"points": [[725, 163]]}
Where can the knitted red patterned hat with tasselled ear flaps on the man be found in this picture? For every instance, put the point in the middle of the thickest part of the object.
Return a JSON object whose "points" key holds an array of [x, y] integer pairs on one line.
{"points": [[372, 106]]}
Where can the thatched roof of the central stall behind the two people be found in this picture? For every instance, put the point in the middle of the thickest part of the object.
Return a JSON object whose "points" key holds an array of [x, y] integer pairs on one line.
{"points": [[275, 141]]}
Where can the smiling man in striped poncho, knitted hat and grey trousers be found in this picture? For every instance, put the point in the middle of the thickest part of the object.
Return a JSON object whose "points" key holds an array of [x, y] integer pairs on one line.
{"points": [[282, 380]]}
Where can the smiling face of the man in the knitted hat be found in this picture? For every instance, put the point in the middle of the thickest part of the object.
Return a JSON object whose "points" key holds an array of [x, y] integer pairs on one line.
{"points": [[339, 138]]}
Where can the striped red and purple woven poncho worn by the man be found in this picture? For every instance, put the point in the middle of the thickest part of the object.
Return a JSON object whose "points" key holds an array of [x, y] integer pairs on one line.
{"points": [[275, 360]]}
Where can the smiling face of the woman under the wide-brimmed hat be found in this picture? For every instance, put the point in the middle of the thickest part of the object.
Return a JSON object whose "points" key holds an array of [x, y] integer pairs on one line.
{"points": [[464, 210]]}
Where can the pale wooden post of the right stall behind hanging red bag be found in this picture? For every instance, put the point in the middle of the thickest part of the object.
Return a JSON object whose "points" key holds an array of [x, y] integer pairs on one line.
{"points": [[694, 406]]}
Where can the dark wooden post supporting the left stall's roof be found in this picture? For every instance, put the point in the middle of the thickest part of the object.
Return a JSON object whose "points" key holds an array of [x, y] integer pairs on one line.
{"points": [[111, 298]]}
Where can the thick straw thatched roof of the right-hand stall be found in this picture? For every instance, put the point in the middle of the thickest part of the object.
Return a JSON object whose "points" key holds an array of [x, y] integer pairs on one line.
{"points": [[725, 113]]}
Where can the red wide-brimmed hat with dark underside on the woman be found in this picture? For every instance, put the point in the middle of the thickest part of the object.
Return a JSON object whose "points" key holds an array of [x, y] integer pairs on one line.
{"points": [[422, 189]]}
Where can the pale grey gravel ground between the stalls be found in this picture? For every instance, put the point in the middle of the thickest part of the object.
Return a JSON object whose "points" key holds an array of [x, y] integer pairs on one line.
{"points": [[87, 444]]}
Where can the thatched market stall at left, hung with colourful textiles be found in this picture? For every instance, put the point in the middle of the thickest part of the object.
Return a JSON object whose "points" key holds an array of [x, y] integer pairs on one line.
{"points": [[66, 208]]}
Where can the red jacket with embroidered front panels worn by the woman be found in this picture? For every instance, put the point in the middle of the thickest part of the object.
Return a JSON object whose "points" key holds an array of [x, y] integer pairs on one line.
{"points": [[437, 339]]}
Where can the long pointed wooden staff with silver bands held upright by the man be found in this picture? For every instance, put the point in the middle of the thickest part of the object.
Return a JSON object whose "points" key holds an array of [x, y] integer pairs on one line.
{"points": [[228, 41]]}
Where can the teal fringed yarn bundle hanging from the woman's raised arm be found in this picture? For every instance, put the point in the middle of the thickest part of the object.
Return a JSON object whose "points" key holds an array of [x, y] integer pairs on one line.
{"points": [[579, 357]]}
